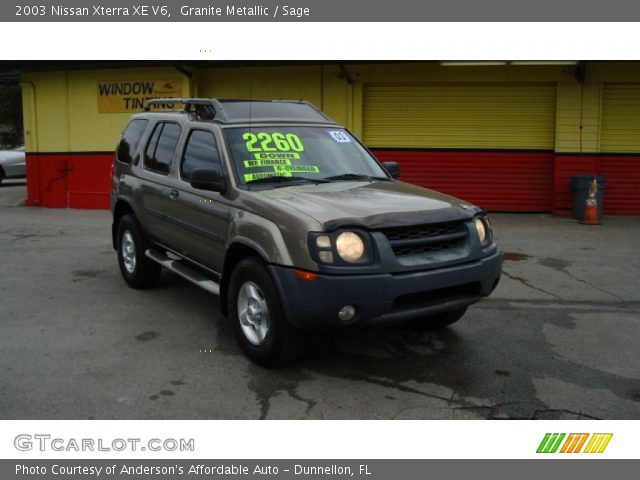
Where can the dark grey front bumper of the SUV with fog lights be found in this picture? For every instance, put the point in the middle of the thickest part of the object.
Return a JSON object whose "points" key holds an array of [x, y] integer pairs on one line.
{"points": [[384, 298]]}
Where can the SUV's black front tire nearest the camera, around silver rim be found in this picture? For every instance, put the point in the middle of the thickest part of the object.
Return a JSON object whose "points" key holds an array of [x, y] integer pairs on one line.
{"points": [[281, 342]]}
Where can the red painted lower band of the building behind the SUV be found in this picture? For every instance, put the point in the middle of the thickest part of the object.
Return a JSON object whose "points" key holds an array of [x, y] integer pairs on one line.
{"points": [[498, 181]]}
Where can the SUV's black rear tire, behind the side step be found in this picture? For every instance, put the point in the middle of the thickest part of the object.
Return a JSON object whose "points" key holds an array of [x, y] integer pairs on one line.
{"points": [[143, 272]]}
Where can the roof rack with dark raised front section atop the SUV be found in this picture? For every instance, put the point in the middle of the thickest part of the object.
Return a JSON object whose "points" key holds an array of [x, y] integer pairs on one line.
{"points": [[243, 111]]}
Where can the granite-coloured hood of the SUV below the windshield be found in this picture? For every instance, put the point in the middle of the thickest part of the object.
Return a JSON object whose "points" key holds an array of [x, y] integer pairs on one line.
{"points": [[371, 204]]}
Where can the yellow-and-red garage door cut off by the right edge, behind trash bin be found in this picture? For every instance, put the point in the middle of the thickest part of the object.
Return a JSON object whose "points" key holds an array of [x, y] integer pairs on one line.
{"points": [[620, 147]]}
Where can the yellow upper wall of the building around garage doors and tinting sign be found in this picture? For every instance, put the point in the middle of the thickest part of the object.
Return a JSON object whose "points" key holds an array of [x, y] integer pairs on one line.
{"points": [[60, 107]]}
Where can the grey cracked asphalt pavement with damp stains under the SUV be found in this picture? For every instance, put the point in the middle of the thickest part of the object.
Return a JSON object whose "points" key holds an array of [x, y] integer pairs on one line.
{"points": [[558, 339]]}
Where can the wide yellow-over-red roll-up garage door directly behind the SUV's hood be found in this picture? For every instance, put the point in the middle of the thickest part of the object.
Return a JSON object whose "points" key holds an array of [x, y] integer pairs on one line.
{"points": [[491, 144]]}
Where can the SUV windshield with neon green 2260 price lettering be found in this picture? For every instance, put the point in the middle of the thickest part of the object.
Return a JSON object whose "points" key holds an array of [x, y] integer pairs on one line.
{"points": [[276, 155]]}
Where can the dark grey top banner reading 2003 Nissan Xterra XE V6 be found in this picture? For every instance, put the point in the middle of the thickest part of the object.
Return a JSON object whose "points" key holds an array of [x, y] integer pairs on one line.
{"points": [[320, 11]]}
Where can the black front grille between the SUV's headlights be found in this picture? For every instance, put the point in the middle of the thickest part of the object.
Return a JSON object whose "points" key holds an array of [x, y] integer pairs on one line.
{"points": [[418, 239]]}
